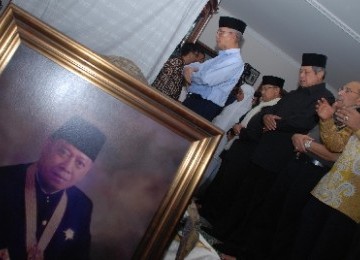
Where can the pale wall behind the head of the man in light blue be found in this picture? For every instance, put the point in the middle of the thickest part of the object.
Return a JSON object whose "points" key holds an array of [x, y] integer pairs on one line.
{"points": [[260, 53]]}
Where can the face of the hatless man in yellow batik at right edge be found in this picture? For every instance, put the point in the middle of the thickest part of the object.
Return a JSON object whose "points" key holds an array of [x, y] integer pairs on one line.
{"points": [[349, 95]]}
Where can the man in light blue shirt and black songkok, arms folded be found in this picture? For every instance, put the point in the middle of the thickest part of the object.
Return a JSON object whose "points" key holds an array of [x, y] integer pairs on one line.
{"points": [[212, 81]]}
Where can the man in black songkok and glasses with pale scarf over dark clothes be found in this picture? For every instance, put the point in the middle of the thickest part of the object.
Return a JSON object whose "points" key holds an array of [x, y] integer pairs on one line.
{"points": [[248, 131]]}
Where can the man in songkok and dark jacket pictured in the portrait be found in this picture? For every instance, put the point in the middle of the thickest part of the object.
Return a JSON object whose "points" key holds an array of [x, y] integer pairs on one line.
{"points": [[42, 214]]}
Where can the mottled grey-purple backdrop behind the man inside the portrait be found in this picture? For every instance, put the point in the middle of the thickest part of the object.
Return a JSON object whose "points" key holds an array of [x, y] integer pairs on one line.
{"points": [[132, 173]]}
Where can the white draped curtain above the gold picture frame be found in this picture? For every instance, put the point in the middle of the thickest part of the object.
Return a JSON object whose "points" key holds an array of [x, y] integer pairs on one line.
{"points": [[144, 31]]}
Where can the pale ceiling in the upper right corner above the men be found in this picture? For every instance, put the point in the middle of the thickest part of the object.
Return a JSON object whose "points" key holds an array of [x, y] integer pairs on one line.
{"points": [[331, 27]]}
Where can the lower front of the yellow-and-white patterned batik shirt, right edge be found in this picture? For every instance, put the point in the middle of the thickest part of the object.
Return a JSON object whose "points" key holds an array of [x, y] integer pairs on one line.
{"points": [[340, 187]]}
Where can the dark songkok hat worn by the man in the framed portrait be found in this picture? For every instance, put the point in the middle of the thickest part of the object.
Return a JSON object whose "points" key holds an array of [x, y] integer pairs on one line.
{"points": [[83, 135]]}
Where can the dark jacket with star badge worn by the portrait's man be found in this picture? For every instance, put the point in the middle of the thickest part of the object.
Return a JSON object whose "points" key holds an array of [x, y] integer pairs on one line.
{"points": [[72, 237]]}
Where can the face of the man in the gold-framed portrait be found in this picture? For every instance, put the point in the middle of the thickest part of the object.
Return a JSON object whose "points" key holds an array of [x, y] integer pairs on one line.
{"points": [[62, 165]]}
